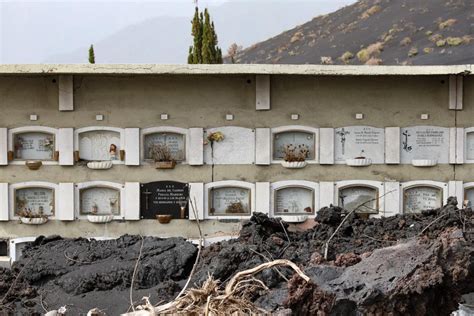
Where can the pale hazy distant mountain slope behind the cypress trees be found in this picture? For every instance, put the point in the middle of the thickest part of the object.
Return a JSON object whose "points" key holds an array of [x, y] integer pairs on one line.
{"points": [[165, 39]]}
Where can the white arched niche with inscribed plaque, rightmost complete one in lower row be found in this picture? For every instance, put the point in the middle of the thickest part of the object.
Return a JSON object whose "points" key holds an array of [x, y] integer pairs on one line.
{"points": [[416, 196]]}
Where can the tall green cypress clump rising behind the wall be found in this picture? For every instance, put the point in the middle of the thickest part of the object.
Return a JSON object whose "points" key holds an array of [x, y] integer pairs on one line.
{"points": [[204, 49]]}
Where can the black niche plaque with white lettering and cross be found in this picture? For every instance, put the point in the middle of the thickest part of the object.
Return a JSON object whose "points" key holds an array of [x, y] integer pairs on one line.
{"points": [[164, 198]]}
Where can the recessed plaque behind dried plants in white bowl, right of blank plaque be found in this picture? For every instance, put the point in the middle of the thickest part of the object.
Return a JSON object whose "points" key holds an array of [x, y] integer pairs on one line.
{"points": [[295, 138]]}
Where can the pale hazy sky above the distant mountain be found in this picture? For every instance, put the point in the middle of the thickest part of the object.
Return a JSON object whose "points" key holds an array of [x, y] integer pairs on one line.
{"points": [[32, 31]]}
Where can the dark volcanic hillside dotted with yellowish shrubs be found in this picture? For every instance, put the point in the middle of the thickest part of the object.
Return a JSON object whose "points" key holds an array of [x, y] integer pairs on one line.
{"points": [[375, 32]]}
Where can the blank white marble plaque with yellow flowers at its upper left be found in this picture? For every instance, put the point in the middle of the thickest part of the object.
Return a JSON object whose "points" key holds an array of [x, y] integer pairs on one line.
{"points": [[238, 146]]}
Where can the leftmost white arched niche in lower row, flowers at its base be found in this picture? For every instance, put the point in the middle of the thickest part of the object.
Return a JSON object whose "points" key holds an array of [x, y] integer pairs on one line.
{"points": [[34, 193]]}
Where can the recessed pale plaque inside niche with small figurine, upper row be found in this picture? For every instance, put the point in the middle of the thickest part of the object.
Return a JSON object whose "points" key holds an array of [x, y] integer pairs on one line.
{"points": [[95, 145]]}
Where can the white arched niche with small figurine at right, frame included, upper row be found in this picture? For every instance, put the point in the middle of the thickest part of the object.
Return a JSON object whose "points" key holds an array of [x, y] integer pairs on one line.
{"points": [[93, 142]]}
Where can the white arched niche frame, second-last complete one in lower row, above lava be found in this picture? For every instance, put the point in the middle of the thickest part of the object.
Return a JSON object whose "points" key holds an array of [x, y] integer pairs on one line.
{"points": [[358, 192]]}
